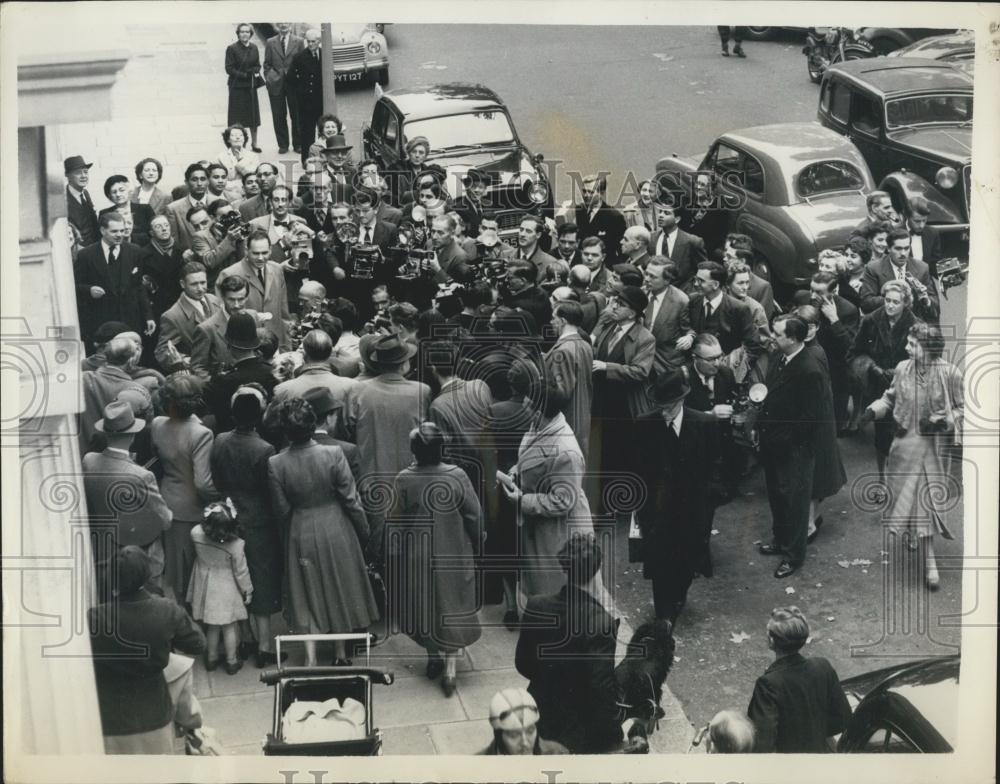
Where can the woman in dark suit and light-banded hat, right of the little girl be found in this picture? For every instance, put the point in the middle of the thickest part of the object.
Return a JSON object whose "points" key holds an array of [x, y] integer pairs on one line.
{"points": [[239, 469]]}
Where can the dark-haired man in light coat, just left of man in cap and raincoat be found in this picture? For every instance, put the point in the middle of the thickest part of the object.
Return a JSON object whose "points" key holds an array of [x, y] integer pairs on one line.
{"points": [[569, 365]]}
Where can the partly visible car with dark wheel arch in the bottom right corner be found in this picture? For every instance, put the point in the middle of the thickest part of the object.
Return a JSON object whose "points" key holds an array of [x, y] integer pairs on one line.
{"points": [[907, 708]]}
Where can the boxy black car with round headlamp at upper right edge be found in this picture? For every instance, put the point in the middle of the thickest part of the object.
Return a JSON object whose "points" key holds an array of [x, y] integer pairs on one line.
{"points": [[912, 120]]}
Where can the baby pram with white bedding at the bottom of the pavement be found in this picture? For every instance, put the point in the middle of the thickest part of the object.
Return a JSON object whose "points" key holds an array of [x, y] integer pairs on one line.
{"points": [[294, 684]]}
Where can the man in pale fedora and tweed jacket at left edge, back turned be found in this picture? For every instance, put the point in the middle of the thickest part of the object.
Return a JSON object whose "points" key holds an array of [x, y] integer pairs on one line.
{"points": [[123, 501]]}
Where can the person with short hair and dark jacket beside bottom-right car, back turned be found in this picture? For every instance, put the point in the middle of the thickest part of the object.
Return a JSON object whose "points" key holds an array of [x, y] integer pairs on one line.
{"points": [[798, 704]]}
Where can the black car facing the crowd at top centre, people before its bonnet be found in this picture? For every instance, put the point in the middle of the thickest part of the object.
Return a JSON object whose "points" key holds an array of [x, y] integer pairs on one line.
{"points": [[468, 126]]}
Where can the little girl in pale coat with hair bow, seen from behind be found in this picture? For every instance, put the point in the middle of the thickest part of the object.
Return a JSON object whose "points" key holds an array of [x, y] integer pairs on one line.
{"points": [[220, 586]]}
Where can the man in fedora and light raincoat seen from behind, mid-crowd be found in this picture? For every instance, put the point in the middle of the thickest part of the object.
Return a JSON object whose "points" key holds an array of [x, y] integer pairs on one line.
{"points": [[380, 415]]}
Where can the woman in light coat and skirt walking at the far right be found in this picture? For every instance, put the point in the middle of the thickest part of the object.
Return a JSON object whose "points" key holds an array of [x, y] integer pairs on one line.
{"points": [[927, 405]]}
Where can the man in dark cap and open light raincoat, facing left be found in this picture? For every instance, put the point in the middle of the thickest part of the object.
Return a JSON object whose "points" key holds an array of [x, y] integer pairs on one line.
{"points": [[623, 359]]}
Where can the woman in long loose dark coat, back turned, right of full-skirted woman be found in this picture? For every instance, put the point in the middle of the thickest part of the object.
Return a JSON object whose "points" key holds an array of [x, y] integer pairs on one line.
{"points": [[438, 607]]}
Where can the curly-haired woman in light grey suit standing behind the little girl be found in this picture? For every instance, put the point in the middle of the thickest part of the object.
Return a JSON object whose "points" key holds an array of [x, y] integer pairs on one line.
{"points": [[183, 446]]}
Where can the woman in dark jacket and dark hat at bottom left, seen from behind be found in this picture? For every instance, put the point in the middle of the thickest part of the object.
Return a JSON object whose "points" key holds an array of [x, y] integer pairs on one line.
{"points": [[131, 638]]}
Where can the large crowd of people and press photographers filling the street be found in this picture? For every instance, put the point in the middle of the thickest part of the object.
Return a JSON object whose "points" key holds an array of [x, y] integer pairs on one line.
{"points": [[310, 383]]}
